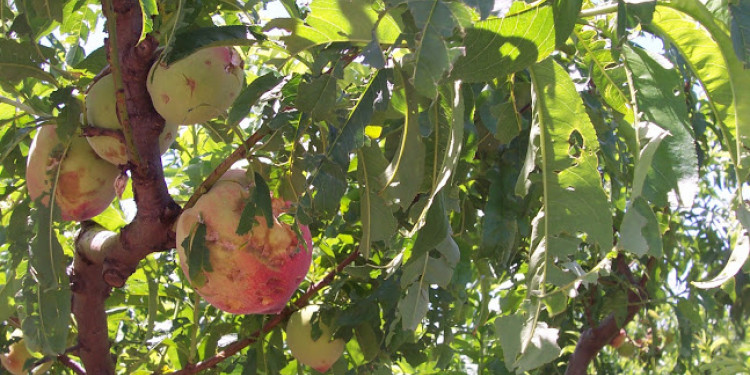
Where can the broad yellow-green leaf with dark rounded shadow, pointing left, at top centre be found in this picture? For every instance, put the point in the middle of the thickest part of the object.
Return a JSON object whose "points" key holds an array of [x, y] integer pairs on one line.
{"points": [[497, 47]]}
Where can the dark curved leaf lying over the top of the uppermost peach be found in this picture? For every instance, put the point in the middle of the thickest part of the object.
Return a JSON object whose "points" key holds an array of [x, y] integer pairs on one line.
{"points": [[186, 43]]}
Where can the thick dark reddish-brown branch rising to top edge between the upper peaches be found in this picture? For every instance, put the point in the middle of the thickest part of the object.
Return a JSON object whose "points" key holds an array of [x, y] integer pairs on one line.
{"points": [[151, 230]]}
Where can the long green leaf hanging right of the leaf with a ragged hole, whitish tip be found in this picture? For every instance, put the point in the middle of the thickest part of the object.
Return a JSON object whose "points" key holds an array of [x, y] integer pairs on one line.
{"points": [[661, 99]]}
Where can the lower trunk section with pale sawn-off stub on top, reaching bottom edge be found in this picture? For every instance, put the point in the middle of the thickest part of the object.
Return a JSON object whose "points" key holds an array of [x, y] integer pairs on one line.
{"points": [[89, 294]]}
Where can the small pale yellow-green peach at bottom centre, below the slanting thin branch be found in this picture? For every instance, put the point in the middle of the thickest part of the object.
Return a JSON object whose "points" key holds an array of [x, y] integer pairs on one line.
{"points": [[319, 354]]}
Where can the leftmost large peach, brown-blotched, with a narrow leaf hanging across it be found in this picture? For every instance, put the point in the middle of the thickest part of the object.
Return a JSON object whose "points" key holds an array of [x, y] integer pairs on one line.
{"points": [[85, 183]]}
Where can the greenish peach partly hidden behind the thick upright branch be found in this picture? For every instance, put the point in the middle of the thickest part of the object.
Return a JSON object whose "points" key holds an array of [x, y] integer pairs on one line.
{"points": [[101, 112]]}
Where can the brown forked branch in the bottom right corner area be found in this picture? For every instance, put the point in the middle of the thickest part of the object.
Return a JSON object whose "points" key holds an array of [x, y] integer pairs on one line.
{"points": [[593, 339]]}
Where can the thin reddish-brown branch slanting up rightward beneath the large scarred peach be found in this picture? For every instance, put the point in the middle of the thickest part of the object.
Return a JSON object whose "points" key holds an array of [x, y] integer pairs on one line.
{"points": [[279, 318]]}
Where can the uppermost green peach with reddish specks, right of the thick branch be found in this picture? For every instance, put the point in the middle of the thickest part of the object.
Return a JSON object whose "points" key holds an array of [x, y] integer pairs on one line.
{"points": [[197, 88]]}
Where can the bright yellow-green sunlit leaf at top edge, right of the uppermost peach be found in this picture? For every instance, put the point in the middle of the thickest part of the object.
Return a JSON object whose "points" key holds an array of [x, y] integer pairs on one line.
{"points": [[336, 21]]}
